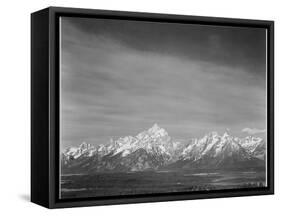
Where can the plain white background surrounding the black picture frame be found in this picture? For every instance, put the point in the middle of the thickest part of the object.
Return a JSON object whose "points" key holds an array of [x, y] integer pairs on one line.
{"points": [[15, 106]]}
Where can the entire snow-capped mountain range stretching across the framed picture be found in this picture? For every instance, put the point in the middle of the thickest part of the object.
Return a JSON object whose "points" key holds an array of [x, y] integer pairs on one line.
{"points": [[154, 149]]}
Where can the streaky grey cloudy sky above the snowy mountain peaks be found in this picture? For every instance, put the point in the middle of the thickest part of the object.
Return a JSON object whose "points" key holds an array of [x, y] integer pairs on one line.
{"points": [[120, 77]]}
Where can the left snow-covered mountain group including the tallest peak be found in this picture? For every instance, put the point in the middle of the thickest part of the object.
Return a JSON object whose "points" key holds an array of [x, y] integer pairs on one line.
{"points": [[148, 150]]}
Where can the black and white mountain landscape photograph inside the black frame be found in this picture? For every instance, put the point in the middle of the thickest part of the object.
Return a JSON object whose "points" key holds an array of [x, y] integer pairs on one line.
{"points": [[157, 107]]}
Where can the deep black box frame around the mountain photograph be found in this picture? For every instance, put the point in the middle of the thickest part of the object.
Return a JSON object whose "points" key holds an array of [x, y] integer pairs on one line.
{"points": [[45, 106]]}
